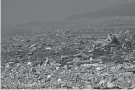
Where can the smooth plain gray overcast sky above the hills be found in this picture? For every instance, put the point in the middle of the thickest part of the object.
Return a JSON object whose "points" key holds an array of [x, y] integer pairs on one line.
{"points": [[20, 11]]}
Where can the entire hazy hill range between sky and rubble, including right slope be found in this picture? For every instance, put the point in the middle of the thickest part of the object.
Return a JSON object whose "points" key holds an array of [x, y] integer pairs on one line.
{"points": [[105, 17]]}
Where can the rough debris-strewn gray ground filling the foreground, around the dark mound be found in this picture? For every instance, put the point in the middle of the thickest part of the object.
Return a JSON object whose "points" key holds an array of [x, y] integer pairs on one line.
{"points": [[62, 59]]}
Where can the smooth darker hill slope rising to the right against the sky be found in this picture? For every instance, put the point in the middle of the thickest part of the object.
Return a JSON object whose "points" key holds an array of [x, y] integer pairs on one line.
{"points": [[126, 9]]}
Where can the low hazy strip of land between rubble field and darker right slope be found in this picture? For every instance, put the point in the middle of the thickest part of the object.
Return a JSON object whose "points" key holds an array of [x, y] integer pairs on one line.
{"points": [[111, 23]]}
